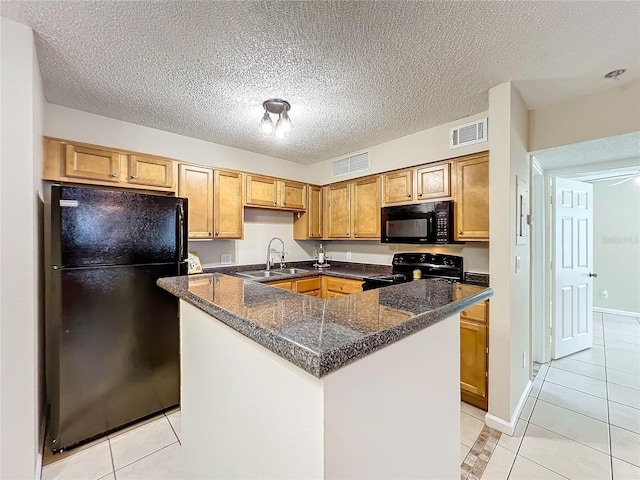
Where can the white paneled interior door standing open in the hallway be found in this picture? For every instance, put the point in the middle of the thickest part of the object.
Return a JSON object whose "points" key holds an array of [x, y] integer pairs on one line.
{"points": [[572, 302]]}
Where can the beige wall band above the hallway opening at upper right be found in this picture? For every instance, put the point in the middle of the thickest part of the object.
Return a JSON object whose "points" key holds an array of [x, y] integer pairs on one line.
{"points": [[603, 114]]}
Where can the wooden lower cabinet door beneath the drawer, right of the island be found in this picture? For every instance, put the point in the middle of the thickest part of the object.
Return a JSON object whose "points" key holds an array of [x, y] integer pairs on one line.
{"points": [[473, 358]]}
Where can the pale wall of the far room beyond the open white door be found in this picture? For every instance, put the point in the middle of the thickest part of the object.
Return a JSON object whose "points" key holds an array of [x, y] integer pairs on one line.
{"points": [[616, 245]]}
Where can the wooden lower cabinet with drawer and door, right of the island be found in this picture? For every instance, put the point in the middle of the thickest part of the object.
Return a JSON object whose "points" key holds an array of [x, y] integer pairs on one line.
{"points": [[474, 355]]}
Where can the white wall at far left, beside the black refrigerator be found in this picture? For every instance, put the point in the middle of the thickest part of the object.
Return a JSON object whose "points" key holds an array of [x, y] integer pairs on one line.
{"points": [[20, 270]]}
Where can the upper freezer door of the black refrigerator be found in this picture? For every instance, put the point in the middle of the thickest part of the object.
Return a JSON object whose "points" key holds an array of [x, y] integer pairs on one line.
{"points": [[107, 227]]}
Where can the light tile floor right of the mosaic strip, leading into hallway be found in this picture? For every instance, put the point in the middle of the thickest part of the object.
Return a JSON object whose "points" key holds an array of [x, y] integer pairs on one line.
{"points": [[582, 418]]}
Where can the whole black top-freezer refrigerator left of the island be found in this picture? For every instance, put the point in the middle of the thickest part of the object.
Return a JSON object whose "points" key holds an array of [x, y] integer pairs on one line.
{"points": [[112, 350]]}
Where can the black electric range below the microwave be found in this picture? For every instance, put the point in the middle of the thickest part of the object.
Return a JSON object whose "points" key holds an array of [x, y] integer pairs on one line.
{"points": [[434, 266]]}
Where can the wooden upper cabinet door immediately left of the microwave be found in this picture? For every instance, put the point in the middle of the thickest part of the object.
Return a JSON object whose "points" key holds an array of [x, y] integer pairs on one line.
{"points": [[365, 208]]}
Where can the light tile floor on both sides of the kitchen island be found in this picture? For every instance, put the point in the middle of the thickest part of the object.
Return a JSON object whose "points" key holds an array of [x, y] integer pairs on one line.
{"points": [[581, 420]]}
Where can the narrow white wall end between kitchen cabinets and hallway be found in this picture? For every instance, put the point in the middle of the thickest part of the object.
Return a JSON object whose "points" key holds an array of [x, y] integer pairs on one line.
{"points": [[509, 332]]}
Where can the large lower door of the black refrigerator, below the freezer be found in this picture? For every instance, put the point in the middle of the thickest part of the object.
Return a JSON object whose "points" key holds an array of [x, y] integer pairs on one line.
{"points": [[112, 349]]}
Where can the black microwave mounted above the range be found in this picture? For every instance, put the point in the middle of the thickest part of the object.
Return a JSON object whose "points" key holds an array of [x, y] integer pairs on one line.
{"points": [[420, 223]]}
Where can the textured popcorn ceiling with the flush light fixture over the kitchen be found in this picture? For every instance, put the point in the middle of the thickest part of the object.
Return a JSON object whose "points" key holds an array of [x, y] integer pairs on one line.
{"points": [[356, 73]]}
